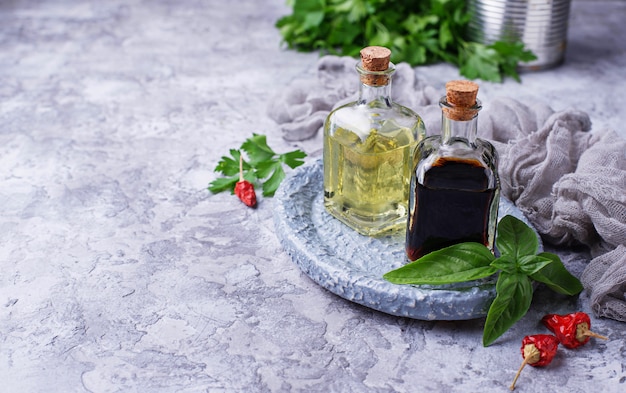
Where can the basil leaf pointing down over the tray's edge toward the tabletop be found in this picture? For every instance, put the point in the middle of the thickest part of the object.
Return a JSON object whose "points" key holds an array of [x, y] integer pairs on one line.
{"points": [[514, 293]]}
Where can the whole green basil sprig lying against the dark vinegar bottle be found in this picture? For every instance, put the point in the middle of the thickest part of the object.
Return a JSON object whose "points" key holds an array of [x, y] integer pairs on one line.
{"points": [[517, 267]]}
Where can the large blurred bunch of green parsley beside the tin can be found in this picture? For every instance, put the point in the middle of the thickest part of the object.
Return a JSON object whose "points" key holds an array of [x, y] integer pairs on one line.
{"points": [[417, 32]]}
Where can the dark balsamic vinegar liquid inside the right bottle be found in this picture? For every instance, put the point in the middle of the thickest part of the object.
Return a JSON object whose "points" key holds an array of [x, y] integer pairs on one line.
{"points": [[452, 205]]}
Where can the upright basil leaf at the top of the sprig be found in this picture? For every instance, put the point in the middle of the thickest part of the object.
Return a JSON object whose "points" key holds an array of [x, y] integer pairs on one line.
{"points": [[515, 238]]}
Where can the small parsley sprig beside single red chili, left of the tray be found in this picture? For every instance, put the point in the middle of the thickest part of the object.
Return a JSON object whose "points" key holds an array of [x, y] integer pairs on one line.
{"points": [[263, 166]]}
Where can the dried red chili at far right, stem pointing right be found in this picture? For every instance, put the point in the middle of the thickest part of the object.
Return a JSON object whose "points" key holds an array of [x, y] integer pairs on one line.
{"points": [[572, 330]]}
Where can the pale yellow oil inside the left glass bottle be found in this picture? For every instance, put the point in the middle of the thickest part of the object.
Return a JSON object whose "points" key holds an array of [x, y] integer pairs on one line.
{"points": [[366, 182]]}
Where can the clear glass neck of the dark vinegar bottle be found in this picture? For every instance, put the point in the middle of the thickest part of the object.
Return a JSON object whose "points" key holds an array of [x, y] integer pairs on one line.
{"points": [[458, 123]]}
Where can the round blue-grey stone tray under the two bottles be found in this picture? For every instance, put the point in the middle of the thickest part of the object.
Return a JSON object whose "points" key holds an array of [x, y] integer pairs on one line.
{"points": [[351, 265]]}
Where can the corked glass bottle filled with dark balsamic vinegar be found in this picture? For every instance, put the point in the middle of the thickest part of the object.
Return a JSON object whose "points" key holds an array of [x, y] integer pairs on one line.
{"points": [[455, 188]]}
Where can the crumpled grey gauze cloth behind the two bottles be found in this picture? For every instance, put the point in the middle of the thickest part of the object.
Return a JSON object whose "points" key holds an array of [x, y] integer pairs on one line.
{"points": [[569, 182]]}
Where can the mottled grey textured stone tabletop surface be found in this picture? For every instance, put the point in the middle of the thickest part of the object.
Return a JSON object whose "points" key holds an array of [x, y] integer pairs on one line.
{"points": [[120, 272]]}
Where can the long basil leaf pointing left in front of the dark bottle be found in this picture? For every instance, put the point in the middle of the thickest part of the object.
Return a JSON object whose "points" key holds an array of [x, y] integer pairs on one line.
{"points": [[457, 263]]}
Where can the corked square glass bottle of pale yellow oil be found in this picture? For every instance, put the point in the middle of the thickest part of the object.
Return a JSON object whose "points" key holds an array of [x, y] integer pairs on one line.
{"points": [[368, 148]]}
